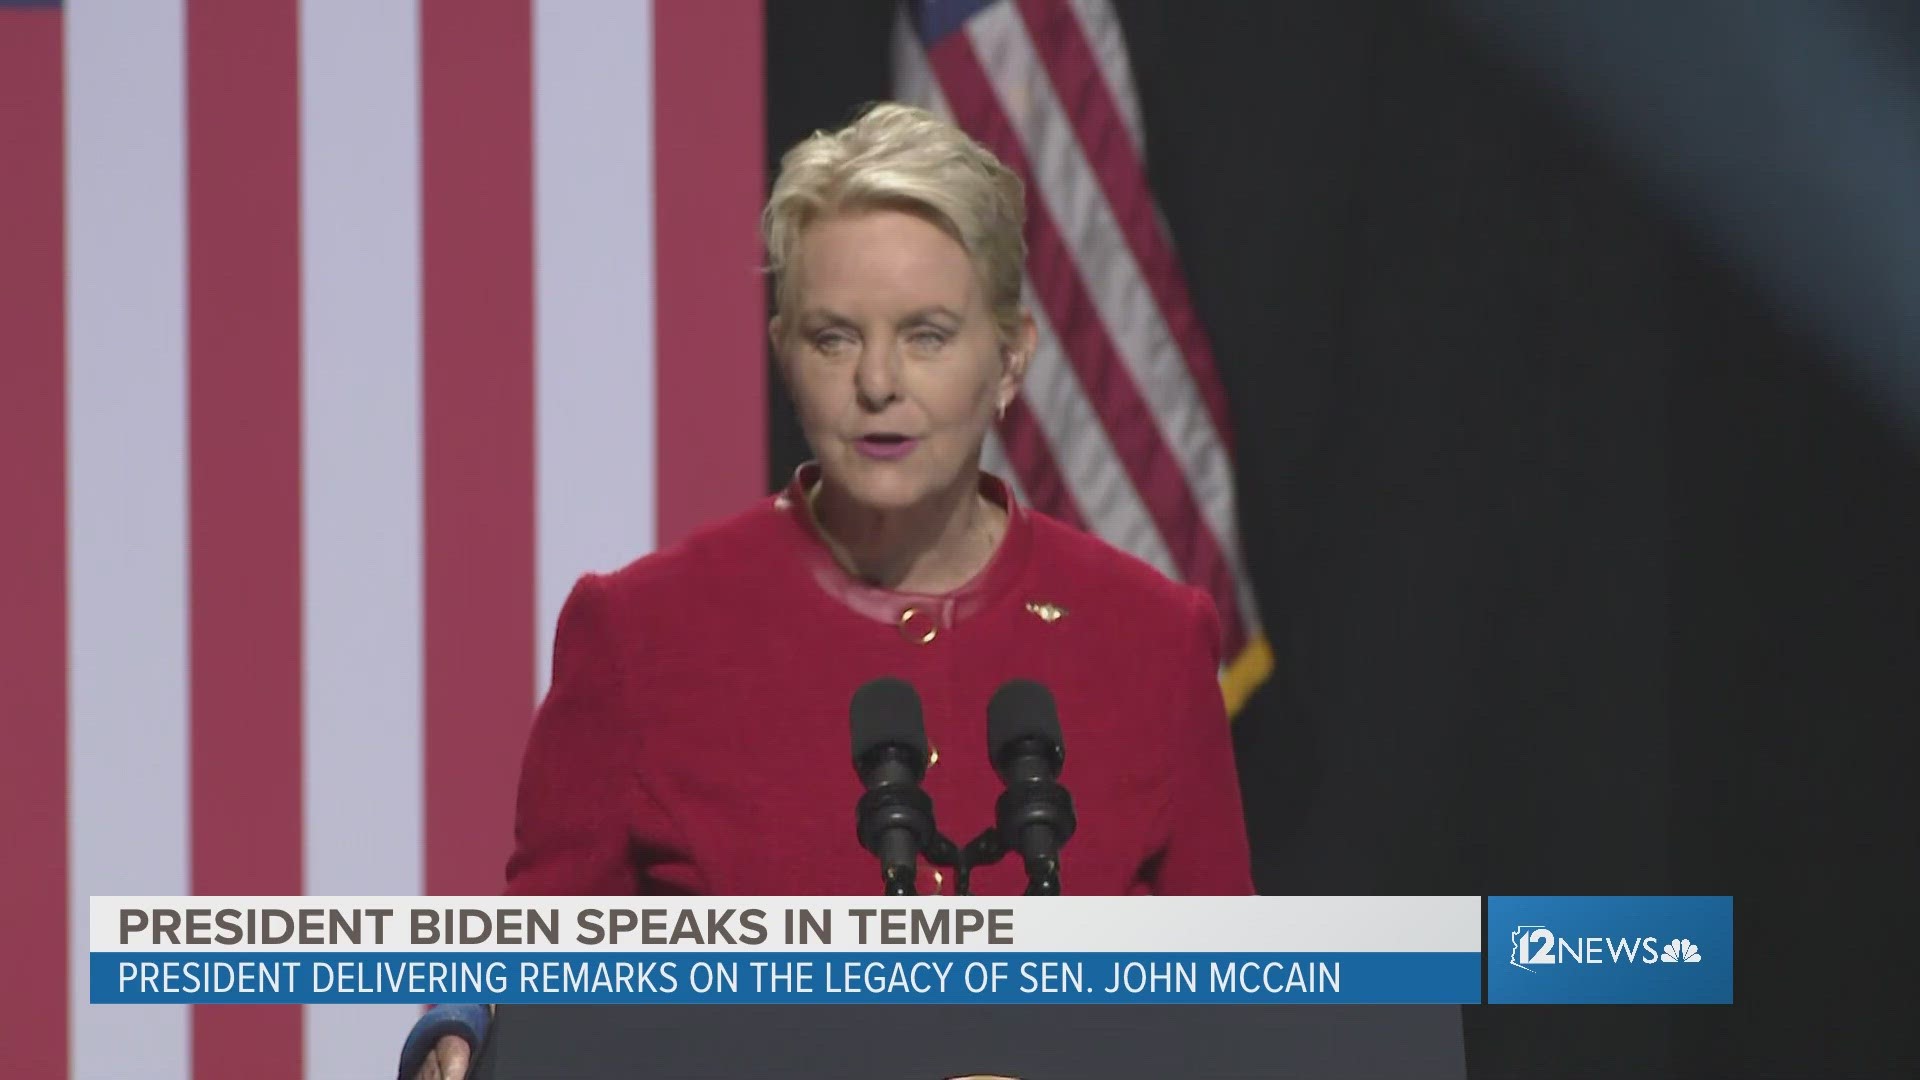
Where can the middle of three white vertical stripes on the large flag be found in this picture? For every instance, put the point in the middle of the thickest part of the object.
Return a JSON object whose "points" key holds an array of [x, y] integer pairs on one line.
{"points": [[360, 159]]}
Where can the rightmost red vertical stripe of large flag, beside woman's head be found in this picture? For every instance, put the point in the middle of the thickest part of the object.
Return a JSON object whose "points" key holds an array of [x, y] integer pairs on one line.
{"points": [[709, 166]]}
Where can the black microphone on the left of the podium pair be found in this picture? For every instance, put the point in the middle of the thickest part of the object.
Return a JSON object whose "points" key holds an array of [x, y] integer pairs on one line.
{"points": [[894, 820]]}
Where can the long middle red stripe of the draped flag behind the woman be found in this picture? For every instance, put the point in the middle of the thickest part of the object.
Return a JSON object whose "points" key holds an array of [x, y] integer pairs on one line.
{"points": [[1090, 347]]}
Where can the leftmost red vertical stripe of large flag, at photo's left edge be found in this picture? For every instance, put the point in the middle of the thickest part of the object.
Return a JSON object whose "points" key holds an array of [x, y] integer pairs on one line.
{"points": [[34, 547]]}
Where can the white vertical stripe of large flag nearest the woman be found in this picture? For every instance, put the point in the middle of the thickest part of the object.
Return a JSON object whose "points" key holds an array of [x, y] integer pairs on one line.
{"points": [[594, 295]]}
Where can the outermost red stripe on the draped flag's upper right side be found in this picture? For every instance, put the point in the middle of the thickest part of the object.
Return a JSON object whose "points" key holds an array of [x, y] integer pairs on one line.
{"points": [[1103, 135]]}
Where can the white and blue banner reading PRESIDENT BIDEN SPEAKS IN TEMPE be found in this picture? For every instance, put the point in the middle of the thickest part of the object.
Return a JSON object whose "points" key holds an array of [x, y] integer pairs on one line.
{"points": [[740, 950]]}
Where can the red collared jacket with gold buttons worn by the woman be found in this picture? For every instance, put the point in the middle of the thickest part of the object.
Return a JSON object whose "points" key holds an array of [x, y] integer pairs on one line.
{"points": [[696, 735]]}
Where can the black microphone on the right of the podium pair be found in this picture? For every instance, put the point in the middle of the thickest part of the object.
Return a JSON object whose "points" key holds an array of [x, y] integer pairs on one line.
{"points": [[1034, 814]]}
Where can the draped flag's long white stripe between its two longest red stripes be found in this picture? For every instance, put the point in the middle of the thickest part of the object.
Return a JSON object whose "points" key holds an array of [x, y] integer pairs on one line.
{"points": [[1111, 274]]}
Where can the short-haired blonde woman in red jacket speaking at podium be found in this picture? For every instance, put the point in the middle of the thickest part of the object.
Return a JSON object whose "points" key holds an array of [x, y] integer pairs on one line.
{"points": [[696, 733]]}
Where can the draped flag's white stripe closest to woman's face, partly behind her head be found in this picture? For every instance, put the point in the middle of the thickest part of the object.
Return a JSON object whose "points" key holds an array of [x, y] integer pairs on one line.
{"points": [[1080, 443]]}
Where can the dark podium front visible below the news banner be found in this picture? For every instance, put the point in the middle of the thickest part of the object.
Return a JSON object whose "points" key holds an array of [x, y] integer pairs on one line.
{"points": [[936, 1043]]}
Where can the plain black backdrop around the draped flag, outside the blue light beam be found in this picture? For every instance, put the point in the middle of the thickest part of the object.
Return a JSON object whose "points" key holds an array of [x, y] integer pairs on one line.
{"points": [[1583, 566]]}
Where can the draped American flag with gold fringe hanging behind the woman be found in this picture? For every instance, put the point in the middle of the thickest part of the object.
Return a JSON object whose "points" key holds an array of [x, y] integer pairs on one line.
{"points": [[1122, 426]]}
